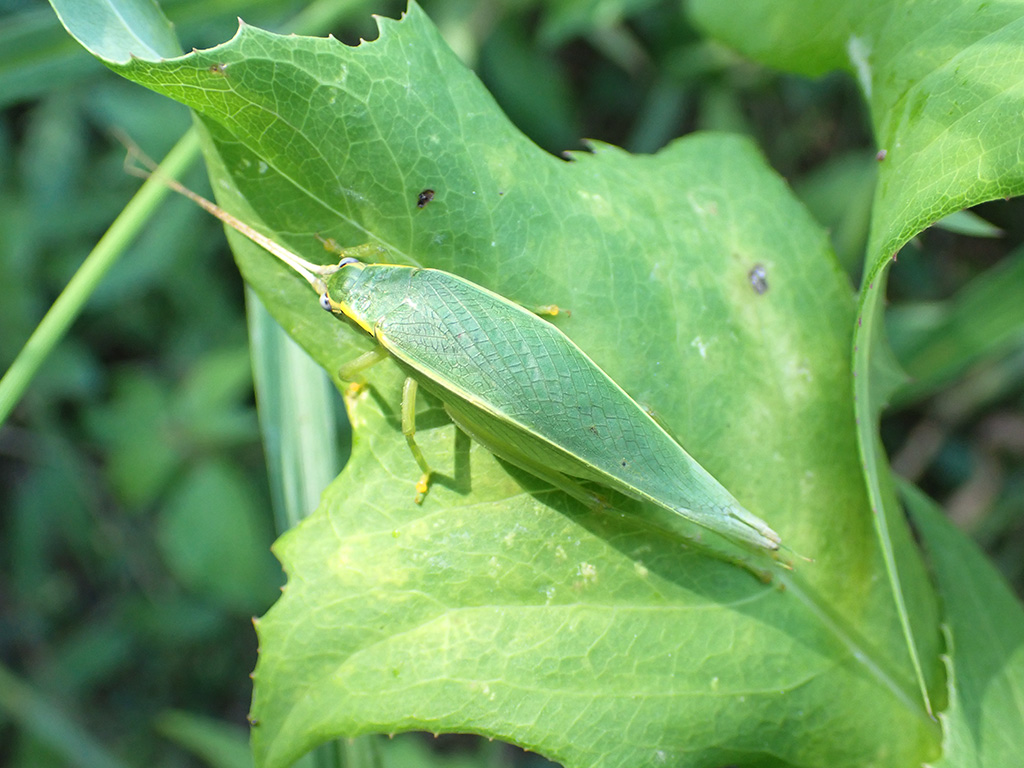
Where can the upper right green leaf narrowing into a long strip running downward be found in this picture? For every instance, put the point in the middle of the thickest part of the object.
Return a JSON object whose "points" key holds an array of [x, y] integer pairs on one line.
{"points": [[943, 79]]}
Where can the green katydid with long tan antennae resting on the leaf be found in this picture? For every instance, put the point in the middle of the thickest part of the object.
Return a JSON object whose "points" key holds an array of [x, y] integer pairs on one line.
{"points": [[514, 382]]}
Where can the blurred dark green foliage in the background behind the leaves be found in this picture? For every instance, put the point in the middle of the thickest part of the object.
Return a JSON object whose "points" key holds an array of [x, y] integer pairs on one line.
{"points": [[136, 507]]}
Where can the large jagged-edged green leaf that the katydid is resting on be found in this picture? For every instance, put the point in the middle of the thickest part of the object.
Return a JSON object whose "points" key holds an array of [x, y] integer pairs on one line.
{"points": [[501, 607]]}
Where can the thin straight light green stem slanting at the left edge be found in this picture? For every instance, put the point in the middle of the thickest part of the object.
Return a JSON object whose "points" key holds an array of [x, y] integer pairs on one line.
{"points": [[100, 262]]}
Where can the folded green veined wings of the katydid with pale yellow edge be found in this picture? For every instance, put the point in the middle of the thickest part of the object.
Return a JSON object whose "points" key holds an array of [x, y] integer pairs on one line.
{"points": [[528, 391]]}
